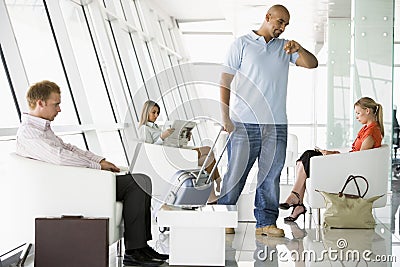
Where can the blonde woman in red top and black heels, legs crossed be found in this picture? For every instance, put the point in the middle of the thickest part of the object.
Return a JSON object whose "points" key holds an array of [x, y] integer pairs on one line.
{"points": [[367, 112]]}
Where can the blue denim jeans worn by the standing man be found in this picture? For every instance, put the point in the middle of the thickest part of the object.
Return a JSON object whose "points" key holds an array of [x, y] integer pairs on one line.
{"points": [[267, 143]]}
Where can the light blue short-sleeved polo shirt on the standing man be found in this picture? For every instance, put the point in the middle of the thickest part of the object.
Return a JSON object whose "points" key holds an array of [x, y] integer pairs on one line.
{"points": [[259, 89]]}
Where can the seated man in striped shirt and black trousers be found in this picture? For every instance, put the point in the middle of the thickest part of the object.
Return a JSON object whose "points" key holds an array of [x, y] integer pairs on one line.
{"points": [[35, 139]]}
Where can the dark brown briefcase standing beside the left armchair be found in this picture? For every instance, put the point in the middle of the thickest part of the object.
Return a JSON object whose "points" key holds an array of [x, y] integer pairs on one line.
{"points": [[71, 241]]}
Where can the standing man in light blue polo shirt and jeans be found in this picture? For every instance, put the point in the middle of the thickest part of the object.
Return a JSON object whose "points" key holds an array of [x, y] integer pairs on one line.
{"points": [[256, 116]]}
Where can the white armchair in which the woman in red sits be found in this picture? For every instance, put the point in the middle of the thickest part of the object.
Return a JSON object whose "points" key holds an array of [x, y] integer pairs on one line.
{"points": [[328, 173]]}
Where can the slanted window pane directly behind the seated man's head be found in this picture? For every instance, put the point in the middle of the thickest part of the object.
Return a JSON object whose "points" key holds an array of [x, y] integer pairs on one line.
{"points": [[40, 57]]}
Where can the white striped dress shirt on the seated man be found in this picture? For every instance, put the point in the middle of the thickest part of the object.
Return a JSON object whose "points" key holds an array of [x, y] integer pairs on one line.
{"points": [[36, 139]]}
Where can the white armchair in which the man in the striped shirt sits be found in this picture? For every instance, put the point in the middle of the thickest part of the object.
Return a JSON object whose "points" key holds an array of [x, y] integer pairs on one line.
{"points": [[33, 188]]}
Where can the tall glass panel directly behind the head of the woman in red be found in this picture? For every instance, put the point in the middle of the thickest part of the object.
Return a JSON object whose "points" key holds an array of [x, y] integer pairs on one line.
{"points": [[372, 44]]}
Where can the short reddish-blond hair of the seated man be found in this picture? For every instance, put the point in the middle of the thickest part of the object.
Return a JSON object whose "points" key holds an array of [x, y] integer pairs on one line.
{"points": [[41, 91]]}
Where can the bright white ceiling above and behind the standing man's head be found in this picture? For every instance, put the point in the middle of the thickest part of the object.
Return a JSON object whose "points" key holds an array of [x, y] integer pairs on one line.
{"points": [[307, 22]]}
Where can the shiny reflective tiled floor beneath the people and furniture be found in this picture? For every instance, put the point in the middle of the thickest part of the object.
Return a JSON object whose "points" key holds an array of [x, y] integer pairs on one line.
{"points": [[306, 242]]}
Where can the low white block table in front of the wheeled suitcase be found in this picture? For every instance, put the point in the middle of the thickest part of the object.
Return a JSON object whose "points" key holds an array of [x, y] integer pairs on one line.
{"points": [[206, 228]]}
